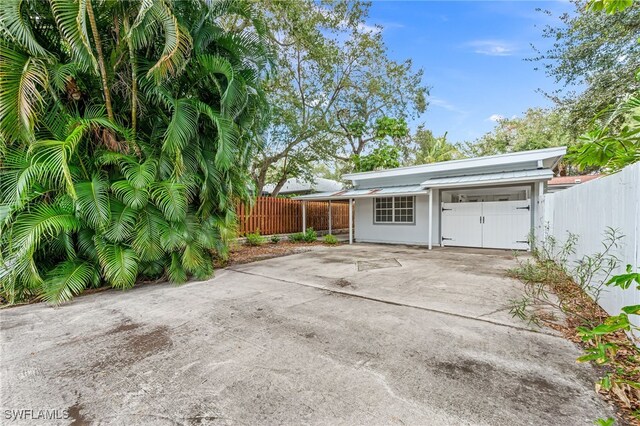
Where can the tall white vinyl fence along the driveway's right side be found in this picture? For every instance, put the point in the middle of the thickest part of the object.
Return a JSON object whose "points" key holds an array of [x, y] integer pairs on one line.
{"points": [[587, 210]]}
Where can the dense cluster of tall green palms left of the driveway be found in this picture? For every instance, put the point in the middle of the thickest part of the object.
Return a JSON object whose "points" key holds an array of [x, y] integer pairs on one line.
{"points": [[126, 134]]}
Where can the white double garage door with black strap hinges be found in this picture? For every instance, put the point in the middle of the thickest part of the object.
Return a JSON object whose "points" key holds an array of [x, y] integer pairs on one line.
{"points": [[489, 224]]}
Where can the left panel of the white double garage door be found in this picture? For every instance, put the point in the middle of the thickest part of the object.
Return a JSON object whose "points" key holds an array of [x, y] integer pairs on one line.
{"points": [[461, 224]]}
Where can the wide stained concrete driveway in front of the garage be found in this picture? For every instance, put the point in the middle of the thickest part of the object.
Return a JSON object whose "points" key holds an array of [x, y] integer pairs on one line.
{"points": [[362, 334]]}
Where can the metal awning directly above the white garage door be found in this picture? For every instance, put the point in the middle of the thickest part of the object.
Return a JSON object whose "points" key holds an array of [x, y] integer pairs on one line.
{"points": [[520, 176]]}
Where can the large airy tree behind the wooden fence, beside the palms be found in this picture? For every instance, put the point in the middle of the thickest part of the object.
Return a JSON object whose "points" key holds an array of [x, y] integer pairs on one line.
{"points": [[336, 90]]}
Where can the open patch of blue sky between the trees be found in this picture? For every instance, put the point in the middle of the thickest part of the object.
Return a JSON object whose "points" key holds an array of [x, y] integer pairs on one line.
{"points": [[472, 53]]}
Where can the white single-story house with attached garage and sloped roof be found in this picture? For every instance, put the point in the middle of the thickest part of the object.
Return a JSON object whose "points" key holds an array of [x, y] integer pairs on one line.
{"points": [[492, 202]]}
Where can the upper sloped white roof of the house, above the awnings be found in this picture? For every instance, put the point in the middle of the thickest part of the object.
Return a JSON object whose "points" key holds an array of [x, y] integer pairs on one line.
{"points": [[524, 160]]}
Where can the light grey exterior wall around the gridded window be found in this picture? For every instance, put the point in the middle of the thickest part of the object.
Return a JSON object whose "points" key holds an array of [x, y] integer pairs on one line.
{"points": [[417, 233]]}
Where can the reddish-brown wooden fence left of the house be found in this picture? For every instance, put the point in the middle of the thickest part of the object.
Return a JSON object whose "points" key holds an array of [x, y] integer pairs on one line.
{"points": [[284, 216]]}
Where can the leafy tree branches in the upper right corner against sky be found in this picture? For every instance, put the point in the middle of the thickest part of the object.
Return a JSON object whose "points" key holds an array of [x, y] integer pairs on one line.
{"points": [[595, 57]]}
